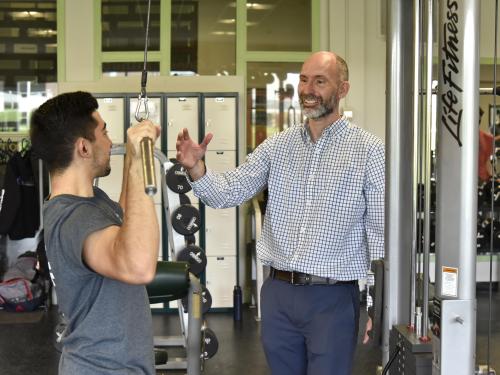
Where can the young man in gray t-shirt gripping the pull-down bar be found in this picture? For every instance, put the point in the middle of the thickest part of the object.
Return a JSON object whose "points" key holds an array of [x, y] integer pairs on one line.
{"points": [[101, 253]]}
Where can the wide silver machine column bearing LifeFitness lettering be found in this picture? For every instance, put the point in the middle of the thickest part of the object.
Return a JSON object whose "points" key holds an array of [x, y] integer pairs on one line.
{"points": [[457, 150]]}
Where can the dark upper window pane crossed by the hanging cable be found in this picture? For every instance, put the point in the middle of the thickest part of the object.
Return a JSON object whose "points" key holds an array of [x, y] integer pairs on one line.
{"points": [[124, 25]]}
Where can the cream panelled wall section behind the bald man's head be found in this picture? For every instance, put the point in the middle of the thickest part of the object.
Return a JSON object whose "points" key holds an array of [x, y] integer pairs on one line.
{"points": [[353, 30]]}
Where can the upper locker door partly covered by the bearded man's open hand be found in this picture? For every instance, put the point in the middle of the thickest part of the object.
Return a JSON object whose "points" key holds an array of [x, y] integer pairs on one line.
{"points": [[182, 112]]}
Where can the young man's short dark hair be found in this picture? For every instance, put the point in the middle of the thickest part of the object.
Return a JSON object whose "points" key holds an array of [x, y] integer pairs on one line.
{"points": [[58, 123]]}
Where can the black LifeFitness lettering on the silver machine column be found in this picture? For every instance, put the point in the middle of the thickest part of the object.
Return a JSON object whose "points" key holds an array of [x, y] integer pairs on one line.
{"points": [[450, 63]]}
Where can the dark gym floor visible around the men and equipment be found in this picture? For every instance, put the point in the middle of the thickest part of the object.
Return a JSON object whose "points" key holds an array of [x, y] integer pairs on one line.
{"points": [[28, 348]]}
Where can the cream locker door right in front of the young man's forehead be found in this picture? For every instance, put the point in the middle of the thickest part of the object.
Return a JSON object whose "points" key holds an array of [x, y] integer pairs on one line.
{"points": [[112, 111]]}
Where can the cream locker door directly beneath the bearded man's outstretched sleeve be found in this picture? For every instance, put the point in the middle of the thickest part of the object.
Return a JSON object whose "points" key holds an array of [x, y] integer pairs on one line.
{"points": [[220, 228]]}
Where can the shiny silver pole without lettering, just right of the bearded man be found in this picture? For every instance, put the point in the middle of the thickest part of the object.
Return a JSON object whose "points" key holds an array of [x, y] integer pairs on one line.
{"points": [[399, 167]]}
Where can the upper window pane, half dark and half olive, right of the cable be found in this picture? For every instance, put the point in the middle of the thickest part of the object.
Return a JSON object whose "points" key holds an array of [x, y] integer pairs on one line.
{"points": [[203, 37]]}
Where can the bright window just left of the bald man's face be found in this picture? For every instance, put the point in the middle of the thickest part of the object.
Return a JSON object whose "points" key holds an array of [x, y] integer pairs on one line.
{"points": [[273, 102]]}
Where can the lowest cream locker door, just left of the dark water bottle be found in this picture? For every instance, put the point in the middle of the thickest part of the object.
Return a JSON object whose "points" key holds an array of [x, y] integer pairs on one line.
{"points": [[221, 279]]}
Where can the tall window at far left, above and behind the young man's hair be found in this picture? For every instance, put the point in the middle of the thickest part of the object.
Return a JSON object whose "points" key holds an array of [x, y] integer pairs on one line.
{"points": [[28, 63]]}
